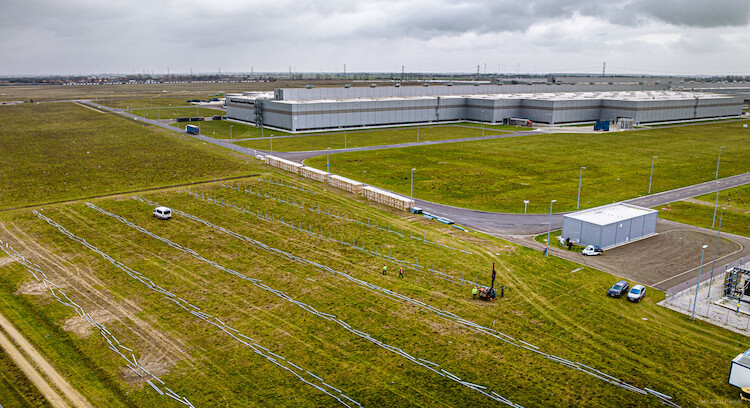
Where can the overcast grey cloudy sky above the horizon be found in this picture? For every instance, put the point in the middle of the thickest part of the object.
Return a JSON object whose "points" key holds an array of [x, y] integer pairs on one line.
{"points": [[680, 37]]}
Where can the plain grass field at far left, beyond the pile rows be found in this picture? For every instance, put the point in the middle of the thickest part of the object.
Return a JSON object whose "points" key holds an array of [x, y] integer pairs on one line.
{"points": [[61, 151]]}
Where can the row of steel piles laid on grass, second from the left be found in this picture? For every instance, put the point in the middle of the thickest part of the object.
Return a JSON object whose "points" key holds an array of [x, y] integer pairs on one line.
{"points": [[302, 374]]}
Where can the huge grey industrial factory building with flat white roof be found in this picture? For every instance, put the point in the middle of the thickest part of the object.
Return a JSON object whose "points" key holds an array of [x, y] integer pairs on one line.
{"points": [[306, 109]]}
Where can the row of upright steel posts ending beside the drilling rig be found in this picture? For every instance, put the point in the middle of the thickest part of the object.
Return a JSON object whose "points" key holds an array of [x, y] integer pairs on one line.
{"points": [[319, 234]]}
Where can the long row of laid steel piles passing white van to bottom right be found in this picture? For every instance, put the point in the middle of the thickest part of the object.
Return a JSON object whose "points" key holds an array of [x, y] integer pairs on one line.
{"points": [[663, 398]]}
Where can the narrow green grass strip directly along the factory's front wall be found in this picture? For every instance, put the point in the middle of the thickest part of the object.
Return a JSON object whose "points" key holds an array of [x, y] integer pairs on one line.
{"points": [[365, 138]]}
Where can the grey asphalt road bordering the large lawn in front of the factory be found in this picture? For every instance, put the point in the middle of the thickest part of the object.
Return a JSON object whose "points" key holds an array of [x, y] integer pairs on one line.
{"points": [[490, 222]]}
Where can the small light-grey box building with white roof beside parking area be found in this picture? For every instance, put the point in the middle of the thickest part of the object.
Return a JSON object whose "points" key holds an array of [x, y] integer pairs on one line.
{"points": [[610, 225]]}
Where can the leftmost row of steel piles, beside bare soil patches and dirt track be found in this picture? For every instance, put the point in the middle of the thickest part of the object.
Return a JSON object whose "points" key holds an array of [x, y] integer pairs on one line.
{"points": [[126, 353]]}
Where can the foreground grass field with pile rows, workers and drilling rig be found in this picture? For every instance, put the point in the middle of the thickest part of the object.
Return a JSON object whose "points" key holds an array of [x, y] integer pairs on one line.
{"points": [[587, 327]]}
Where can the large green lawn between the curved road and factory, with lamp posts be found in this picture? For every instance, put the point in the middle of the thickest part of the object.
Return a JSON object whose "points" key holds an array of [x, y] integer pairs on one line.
{"points": [[497, 175]]}
